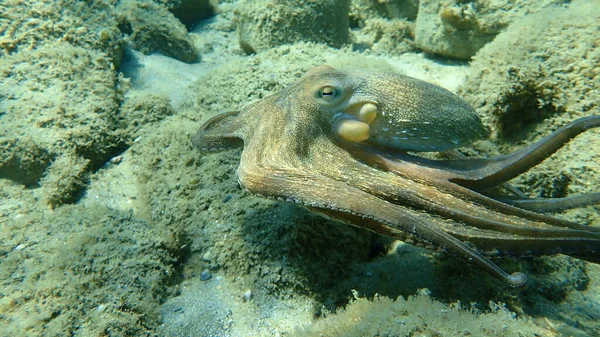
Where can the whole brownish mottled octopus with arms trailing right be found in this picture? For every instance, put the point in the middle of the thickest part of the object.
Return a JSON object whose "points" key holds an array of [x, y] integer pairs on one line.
{"points": [[347, 145]]}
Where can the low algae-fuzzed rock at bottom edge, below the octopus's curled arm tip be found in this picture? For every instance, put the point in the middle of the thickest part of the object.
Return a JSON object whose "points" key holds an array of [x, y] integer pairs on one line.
{"points": [[420, 315]]}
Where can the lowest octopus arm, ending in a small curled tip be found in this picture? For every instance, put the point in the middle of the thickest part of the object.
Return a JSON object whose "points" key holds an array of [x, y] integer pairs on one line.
{"points": [[343, 202]]}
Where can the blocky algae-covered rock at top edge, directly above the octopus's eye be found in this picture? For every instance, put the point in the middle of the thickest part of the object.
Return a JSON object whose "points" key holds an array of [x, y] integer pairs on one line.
{"points": [[267, 23]]}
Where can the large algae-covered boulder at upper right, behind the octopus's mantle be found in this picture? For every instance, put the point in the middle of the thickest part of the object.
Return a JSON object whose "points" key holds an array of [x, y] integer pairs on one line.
{"points": [[545, 63]]}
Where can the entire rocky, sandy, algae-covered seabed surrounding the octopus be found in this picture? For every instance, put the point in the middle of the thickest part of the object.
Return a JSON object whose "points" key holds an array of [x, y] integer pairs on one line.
{"points": [[112, 224]]}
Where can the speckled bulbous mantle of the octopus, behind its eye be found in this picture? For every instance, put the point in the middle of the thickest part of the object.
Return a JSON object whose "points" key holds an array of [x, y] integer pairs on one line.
{"points": [[413, 115]]}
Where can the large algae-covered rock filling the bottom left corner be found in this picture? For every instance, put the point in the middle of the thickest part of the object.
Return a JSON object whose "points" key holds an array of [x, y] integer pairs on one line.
{"points": [[82, 271]]}
